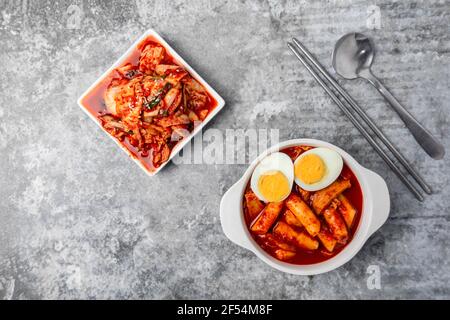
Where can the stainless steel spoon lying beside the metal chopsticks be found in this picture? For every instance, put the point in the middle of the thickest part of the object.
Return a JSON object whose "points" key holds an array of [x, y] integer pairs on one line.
{"points": [[352, 57]]}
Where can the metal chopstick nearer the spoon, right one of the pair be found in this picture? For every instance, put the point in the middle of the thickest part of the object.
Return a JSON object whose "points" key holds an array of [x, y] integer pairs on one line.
{"points": [[365, 117]]}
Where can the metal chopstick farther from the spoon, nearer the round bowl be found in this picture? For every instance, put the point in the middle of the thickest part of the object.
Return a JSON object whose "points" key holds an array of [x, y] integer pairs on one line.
{"points": [[362, 130]]}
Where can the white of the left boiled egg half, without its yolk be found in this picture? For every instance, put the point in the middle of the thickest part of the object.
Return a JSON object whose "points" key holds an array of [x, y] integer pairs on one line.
{"points": [[275, 161]]}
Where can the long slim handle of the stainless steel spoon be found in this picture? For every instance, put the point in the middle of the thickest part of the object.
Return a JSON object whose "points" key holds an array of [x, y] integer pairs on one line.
{"points": [[429, 143]]}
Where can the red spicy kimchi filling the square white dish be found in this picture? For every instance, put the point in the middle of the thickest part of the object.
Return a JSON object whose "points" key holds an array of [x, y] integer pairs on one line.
{"points": [[150, 103]]}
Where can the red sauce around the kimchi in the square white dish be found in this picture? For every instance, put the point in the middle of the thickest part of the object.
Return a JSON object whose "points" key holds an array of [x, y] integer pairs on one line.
{"points": [[93, 101]]}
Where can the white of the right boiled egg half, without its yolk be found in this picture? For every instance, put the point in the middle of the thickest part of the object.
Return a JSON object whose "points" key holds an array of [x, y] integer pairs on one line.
{"points": [[333, 167]]}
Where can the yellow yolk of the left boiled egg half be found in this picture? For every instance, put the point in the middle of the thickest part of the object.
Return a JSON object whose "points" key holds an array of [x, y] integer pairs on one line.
{"points": [[273, 185]]}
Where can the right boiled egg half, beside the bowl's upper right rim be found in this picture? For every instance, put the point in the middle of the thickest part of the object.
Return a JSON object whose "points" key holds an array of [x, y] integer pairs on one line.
{"points": [[317, 168]]}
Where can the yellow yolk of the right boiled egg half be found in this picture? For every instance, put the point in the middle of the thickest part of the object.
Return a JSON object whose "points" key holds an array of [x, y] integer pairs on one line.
{"points": [[310, 169]]}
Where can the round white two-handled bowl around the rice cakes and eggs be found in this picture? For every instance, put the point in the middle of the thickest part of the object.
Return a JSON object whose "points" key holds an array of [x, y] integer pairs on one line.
{"points": [[376, 206]]}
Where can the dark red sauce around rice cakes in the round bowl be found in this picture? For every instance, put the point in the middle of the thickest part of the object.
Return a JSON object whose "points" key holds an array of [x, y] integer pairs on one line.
{"points": [[304, 257]]}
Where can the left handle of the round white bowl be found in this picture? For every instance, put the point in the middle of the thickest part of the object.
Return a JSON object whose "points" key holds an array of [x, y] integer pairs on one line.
{"points": [[232, 221]]}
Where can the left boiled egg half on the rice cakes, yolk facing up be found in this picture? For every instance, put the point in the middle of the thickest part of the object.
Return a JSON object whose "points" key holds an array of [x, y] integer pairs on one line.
{"points": [[273, 177]]}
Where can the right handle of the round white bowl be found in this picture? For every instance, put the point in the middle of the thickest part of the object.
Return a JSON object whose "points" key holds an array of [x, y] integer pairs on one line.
{"points": [[381, 204]]}
